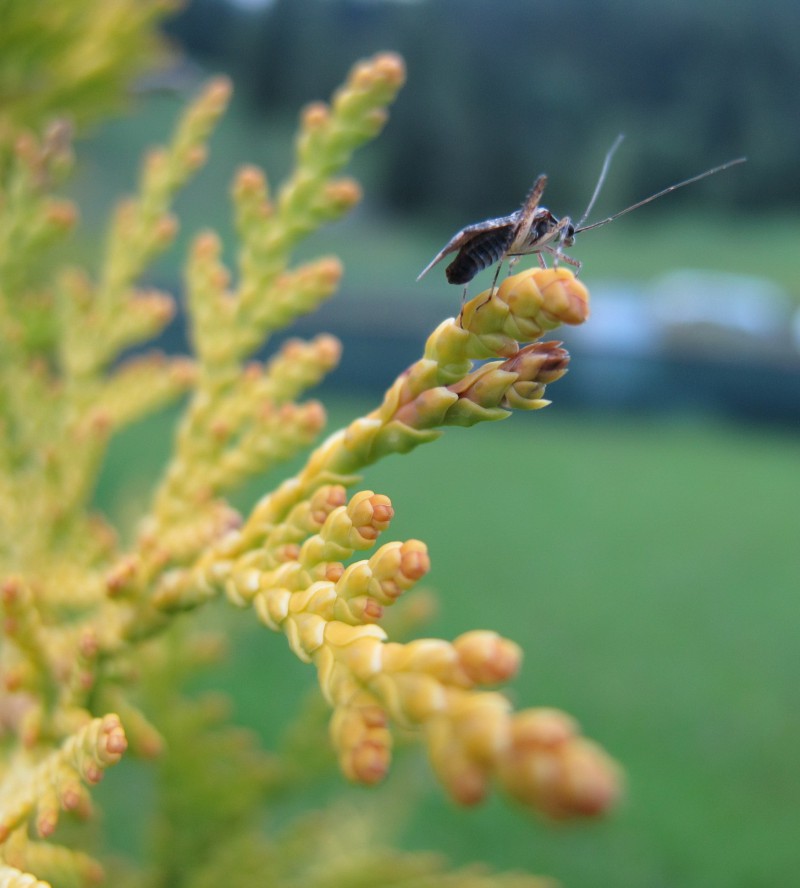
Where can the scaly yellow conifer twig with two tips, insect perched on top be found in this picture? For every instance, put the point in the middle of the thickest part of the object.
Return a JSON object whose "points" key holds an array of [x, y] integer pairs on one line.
{"points": [[443, 389]]}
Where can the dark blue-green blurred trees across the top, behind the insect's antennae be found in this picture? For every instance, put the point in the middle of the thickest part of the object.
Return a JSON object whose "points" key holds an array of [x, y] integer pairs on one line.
{"points": [[500, 91]]}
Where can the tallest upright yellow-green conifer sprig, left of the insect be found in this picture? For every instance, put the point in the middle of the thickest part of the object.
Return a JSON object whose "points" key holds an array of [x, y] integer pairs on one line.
{"points": [[244, 419]]}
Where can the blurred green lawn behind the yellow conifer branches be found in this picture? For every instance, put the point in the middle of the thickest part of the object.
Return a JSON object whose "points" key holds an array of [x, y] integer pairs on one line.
{"points": [[650, 572]]}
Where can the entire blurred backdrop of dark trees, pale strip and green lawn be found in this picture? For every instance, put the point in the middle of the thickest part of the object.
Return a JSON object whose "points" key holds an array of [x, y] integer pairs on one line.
{"points": [[639, 537]]}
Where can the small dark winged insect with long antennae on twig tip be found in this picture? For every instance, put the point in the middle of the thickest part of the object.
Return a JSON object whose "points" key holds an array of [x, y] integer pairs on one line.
{"points": [[533, 229]]}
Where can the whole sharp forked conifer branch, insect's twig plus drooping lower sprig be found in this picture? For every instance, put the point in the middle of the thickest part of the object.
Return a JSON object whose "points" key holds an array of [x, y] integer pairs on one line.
{"points": [[289, 561]]}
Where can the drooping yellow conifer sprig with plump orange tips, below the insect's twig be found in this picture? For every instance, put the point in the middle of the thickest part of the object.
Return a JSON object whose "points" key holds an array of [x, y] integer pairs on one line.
{"points": [[302, 583]]}
